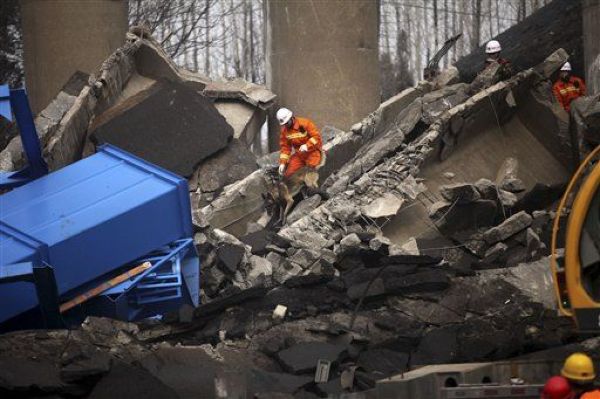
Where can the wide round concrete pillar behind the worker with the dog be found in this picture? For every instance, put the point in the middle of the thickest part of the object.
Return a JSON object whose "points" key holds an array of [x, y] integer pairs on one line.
{"points": [[322, 58]]}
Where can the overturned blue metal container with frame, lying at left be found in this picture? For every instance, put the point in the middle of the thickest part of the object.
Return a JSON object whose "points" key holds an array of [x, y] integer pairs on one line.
{"points": [[90, 220]]}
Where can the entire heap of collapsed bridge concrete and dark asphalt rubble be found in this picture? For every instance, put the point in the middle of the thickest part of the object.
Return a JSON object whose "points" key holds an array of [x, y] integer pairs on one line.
{"points": [[424, 252]]}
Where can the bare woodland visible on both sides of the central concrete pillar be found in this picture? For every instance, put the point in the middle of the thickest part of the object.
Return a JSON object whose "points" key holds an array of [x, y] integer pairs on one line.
{"points": [[227, 37]]}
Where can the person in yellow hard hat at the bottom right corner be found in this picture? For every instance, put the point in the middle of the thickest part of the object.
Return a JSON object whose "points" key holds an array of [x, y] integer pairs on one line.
{"points": [[578, 369]]}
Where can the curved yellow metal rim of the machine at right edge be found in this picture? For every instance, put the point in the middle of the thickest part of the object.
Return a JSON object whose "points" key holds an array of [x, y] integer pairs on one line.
{"points": [[578, 297]]}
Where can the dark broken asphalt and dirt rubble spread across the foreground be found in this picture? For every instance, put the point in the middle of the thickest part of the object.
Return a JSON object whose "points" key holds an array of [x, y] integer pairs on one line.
{"points": [[413, 310]]}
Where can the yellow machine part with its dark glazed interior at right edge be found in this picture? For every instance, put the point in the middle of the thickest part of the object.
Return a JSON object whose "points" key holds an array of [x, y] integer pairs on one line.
{"points": [[577, 274]]}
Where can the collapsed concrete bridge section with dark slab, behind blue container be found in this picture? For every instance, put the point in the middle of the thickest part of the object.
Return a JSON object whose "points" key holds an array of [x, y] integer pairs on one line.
{"points": [[142, 102]]}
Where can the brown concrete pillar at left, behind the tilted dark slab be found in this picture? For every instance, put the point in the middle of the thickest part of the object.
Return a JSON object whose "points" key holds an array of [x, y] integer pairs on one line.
{"points": [[63, 36]]}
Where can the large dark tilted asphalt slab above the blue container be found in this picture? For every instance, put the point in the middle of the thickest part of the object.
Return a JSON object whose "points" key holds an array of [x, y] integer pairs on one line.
{"points": [[165, 113]]}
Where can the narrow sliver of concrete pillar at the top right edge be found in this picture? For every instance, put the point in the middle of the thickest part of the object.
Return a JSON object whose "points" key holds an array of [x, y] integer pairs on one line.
{"points": [[591, 44]]}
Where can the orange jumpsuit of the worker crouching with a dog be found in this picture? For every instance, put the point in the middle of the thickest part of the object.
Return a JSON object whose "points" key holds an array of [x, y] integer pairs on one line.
{"points": [[302, 132]]}
